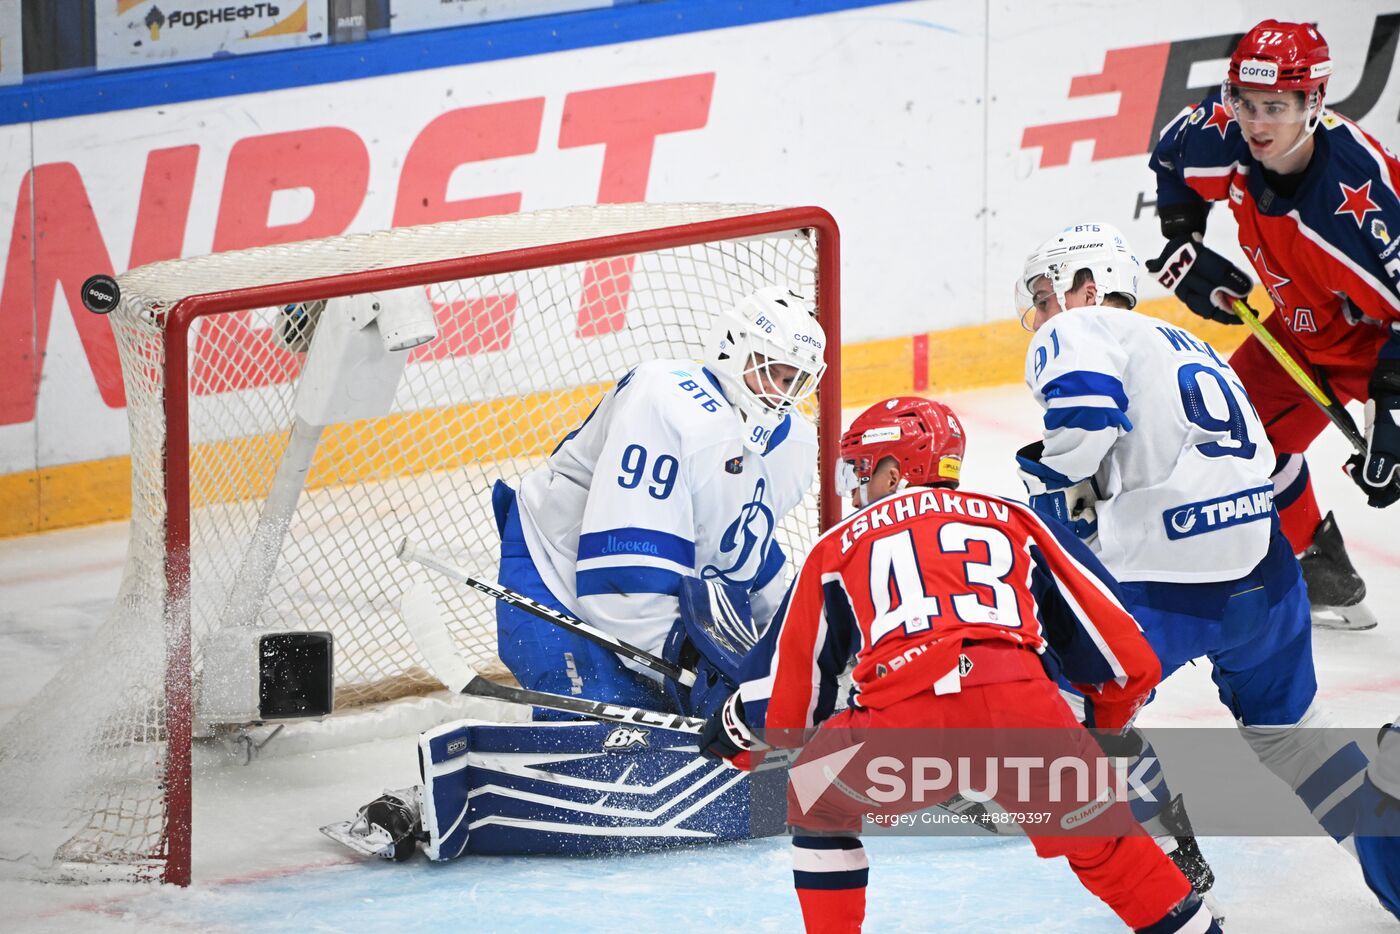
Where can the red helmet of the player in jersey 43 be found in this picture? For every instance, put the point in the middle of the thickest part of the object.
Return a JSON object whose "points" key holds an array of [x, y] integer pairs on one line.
{"points": [[925, 436]]}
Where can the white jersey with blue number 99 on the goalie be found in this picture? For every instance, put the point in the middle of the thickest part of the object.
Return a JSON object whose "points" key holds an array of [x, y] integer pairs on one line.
{"points": [[656, 485]]}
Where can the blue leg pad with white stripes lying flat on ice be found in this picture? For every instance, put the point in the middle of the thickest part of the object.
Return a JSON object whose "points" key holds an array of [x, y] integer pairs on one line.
{"points": [[583, 789]]}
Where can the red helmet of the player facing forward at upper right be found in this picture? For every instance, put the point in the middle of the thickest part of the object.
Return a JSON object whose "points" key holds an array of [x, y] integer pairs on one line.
{"points": [[1280, 58]]}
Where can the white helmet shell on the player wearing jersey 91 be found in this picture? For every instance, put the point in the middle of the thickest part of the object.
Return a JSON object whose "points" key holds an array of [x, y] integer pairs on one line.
{"points": [[1101, 249]]}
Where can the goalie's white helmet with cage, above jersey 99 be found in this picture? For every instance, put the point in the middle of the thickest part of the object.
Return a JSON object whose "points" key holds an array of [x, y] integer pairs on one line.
{"points": [[768, 354]]}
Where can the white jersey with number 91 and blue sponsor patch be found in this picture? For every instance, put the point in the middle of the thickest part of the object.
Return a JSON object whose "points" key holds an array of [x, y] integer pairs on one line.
{"points": [[1164, 428]]}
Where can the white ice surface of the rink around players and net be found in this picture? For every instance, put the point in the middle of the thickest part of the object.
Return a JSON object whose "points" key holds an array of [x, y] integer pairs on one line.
{"points": [[261, 865]]}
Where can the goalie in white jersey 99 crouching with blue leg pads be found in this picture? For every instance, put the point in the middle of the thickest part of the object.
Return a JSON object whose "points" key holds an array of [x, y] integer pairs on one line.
{"points": [[653, 523]]}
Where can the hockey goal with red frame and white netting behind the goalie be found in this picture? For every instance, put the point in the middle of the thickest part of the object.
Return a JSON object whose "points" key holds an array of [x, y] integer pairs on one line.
{"points": [[535, 316]]}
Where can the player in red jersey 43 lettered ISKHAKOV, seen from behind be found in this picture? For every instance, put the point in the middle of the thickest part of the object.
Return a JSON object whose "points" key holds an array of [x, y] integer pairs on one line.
{"points": [[948, 601]]}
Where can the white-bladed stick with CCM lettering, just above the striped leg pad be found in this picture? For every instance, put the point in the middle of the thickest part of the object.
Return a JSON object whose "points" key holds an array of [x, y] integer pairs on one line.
{"points": [[423, 618]]}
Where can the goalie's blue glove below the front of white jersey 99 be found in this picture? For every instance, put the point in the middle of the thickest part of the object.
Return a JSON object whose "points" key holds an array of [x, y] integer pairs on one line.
{"points": [[712, 638]]}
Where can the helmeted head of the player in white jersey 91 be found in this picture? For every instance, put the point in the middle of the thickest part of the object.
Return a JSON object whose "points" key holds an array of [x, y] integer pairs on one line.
{"points": [[1087, 264]]}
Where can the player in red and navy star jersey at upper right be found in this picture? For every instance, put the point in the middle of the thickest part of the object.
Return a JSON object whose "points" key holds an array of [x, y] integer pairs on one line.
{"points": [[1319, 219]]}
